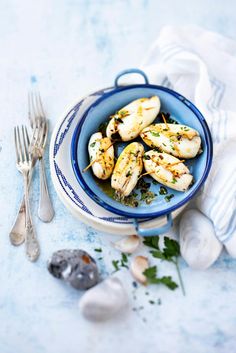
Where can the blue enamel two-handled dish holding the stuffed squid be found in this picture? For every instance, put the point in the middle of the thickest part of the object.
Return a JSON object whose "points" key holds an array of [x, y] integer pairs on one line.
{"points": [[181, 110]]}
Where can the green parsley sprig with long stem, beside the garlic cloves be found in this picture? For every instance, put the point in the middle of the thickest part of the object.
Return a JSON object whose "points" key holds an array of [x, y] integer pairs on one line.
{"points": [[170, 252]]}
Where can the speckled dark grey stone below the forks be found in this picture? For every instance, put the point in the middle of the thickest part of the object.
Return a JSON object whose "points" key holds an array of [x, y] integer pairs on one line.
{"points": [[76, 267]]}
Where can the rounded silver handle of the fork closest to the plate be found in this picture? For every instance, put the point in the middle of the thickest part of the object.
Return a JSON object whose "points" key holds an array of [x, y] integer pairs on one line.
{"points": [[45, 210]]}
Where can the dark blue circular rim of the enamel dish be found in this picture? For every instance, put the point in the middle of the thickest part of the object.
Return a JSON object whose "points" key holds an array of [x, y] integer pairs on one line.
{"points": [[168, 210]]}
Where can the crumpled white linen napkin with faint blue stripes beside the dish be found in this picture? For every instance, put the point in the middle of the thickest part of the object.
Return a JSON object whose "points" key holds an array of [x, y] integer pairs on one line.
{"points": [[201, 65]]}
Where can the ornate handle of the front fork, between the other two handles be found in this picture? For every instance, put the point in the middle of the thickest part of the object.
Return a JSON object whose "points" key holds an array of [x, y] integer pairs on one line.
{"points": [[31, 242]]}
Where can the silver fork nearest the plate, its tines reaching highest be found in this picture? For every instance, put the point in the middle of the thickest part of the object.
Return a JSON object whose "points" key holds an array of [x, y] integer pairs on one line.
{"points": [[39, 124]]}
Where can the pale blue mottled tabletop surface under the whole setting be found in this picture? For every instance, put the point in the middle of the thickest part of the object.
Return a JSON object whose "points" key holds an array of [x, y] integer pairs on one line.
{"points": [[72, 47]]}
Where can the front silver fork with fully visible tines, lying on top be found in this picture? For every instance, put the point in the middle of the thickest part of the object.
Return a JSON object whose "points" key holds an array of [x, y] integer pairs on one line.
{"points": [[24, 165]]}
